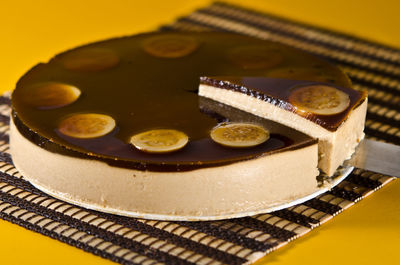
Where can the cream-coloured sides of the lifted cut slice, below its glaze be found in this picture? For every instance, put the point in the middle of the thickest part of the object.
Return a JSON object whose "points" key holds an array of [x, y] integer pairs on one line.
{"points": [[334, 147]]}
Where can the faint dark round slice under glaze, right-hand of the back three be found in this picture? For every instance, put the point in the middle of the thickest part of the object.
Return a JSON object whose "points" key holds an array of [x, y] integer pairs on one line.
{"points": [[255, 57]]}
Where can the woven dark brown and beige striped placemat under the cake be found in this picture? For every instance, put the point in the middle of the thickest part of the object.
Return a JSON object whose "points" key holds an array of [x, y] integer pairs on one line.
{"points": [[136, 241]]}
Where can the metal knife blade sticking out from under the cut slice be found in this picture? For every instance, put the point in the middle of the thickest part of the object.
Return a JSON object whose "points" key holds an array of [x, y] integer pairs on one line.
{"points": [[378, 157]]}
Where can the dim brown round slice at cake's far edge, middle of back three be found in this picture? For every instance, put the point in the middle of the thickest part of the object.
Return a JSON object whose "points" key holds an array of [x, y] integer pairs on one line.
{"points": [[170, 46]]}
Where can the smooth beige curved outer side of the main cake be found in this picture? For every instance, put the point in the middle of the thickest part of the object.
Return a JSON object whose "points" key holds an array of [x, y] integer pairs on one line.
{"points": [[248, 186]]}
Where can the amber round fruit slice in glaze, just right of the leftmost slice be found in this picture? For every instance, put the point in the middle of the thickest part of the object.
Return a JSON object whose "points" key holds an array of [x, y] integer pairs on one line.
{"points": [[88, 125]]}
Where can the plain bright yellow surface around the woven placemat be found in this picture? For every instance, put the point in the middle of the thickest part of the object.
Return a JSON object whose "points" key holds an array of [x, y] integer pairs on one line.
{"points": [[33, 31]]}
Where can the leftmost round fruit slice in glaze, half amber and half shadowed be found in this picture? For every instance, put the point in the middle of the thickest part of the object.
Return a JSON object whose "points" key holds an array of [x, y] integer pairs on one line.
{"points": [[51, 95]]}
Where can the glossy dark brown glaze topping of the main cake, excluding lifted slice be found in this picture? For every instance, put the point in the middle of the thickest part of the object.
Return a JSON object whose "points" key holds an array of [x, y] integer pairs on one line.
{"points": [[142, 90]]}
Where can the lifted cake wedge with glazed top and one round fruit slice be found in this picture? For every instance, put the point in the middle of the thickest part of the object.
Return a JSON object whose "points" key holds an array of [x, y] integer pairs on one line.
{"points": [[332, 114]]}
